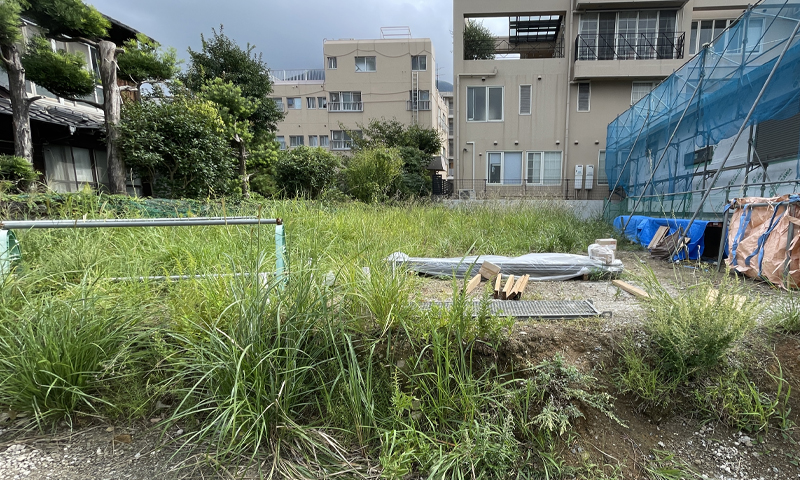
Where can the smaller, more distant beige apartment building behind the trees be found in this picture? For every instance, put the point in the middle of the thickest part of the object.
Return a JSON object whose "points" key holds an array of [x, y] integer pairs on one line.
{"points": [[387, 78]]}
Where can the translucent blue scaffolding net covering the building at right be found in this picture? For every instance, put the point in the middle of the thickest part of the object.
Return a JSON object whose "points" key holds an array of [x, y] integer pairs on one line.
{"points": [[725, 125]]}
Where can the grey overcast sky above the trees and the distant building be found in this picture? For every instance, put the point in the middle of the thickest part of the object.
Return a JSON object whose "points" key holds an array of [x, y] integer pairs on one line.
{"points": [[288, 32]]}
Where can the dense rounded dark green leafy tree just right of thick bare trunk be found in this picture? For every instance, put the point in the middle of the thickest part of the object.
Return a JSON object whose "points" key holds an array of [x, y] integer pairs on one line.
{"points": [[180, 144]]}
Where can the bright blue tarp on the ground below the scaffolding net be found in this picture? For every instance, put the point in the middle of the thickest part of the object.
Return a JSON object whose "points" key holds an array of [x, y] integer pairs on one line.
{"points": [[641, 229]]}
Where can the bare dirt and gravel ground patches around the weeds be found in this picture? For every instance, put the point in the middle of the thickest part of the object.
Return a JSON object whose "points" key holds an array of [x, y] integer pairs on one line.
{"points": [[710, 451]]}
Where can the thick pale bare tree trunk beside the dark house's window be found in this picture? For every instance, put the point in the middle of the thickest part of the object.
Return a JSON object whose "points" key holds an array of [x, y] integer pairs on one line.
{"points": [[111, 108]]}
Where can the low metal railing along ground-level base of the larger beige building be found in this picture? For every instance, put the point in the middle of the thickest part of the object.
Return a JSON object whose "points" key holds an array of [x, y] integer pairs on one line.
{"points": [[553, 190]]}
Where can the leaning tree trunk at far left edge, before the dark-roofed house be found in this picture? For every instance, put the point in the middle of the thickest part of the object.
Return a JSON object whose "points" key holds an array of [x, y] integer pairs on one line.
{"points": [[20, 104]]}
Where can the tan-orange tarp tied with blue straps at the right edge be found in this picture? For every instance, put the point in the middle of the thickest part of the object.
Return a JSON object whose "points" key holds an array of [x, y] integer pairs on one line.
{"points": [[763, 238]]}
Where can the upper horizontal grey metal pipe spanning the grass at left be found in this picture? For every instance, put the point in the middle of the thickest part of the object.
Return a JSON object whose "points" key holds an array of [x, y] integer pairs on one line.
{"points": [[138, 222]]}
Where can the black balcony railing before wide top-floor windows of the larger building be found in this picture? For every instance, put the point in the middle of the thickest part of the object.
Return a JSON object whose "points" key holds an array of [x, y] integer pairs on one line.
{"points": [[628, 46]]}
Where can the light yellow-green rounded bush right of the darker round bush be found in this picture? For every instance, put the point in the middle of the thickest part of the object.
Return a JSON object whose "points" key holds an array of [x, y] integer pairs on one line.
{"points": [[371, 175]]}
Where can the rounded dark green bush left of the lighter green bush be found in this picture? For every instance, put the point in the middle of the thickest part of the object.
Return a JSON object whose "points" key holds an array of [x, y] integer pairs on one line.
{"points": [[305, 171]]}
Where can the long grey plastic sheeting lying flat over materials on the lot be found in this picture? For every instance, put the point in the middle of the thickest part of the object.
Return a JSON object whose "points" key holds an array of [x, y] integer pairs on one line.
{"points": [[540, 266]]}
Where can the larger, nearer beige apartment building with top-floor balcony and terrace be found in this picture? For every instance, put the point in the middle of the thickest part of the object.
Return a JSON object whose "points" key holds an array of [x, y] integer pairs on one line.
{"points": [[532, 120]]}
